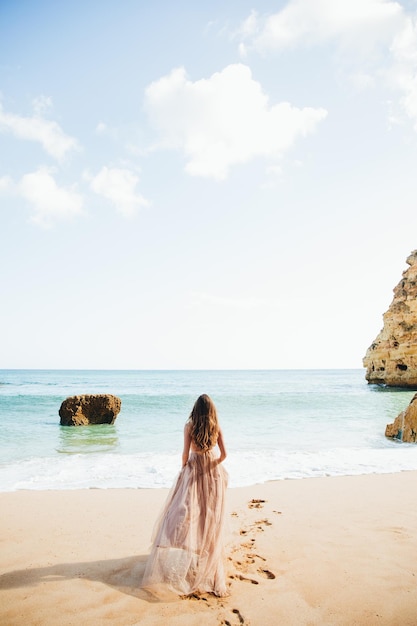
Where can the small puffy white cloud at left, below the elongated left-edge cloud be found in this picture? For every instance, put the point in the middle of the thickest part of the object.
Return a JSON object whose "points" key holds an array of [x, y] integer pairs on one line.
{"points": [[49, 201]]}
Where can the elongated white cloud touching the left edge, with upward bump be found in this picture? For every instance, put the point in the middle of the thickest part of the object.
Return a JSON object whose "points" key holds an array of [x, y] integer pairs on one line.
{"points": [[46, 132]]}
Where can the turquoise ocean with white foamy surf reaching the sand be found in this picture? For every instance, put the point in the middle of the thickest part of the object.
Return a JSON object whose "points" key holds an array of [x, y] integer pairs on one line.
{"points": [[277, 425]]}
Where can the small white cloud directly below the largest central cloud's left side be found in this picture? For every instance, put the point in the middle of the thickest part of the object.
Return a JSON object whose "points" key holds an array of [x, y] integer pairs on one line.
{"points": [[119, 187]]}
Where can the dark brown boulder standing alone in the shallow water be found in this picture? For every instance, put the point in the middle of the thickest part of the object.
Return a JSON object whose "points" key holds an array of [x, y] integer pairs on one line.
{"points": [[89, 409]]}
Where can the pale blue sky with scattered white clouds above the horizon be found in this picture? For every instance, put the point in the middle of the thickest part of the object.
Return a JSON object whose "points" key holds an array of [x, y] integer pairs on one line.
{"points": [[203, 185]]}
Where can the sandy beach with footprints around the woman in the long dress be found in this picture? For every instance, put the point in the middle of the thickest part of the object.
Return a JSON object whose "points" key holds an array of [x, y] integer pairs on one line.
{"points": [[321, 551]]}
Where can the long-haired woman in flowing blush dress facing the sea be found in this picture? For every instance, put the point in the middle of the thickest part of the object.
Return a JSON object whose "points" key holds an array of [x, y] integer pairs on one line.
{"points": [[187, 551]]}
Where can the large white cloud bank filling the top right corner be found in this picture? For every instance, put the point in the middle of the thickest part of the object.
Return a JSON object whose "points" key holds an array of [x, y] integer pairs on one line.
{"points": [[377, 37]]}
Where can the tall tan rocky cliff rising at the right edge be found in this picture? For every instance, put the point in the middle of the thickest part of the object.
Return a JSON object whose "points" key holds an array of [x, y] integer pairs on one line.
{"points": [[392, 357]]}
